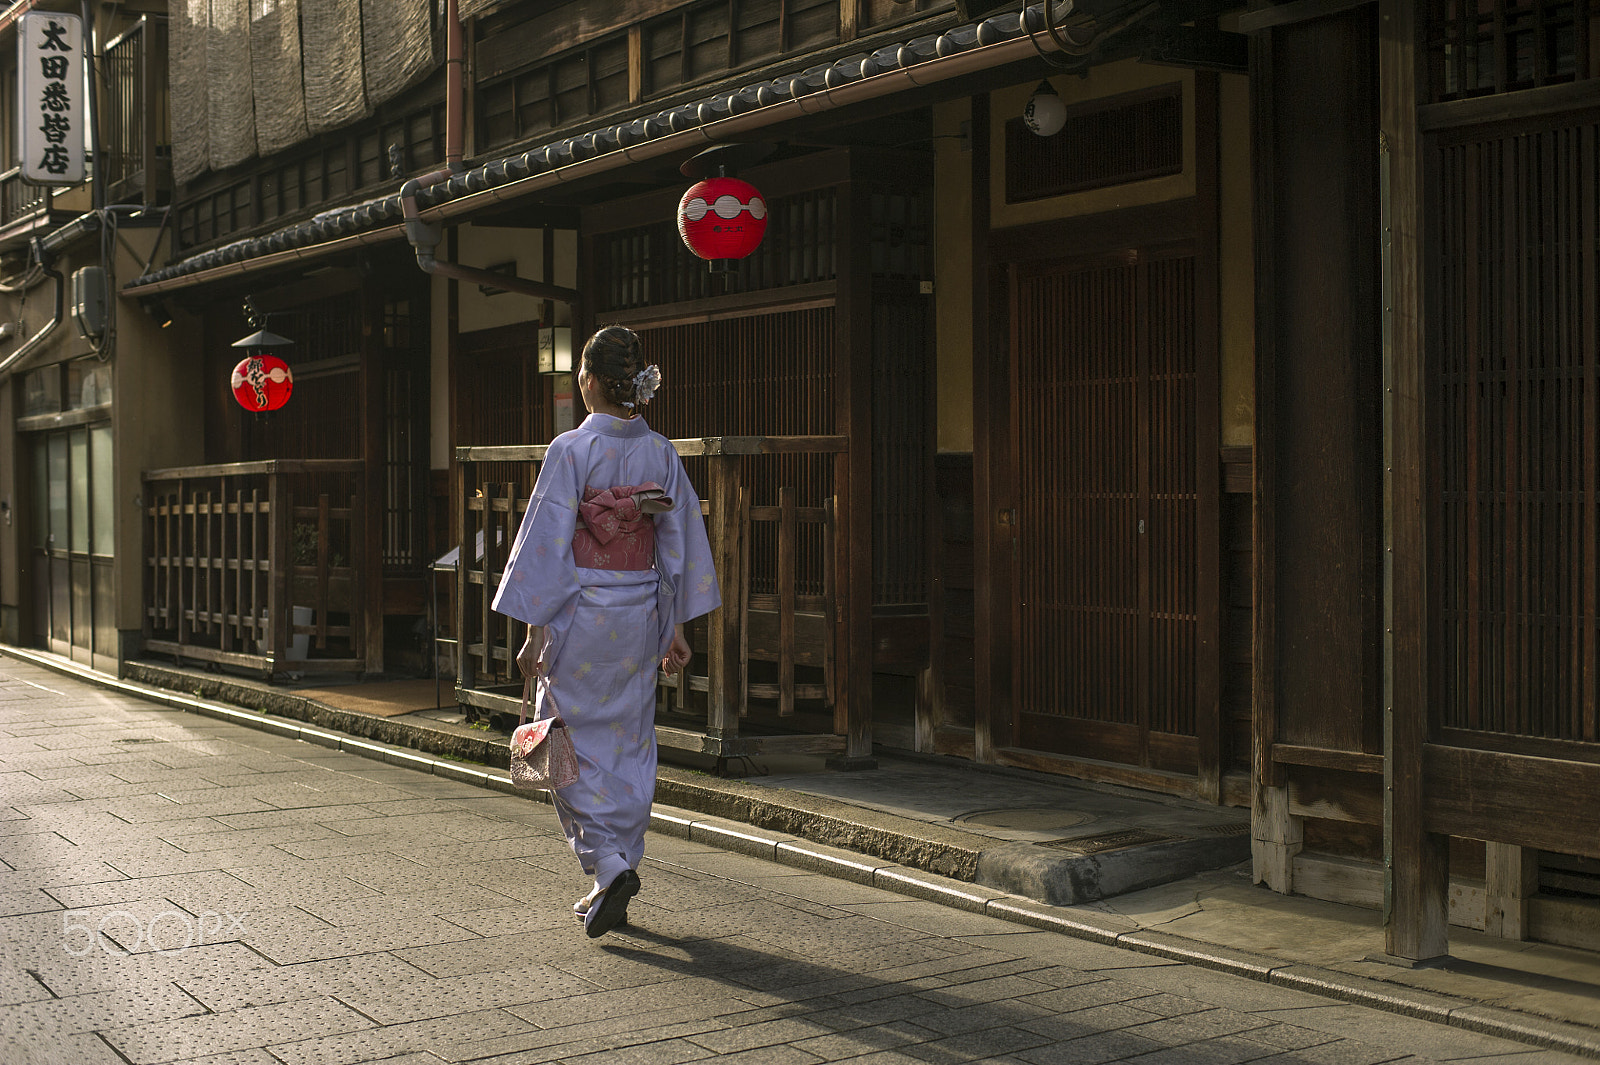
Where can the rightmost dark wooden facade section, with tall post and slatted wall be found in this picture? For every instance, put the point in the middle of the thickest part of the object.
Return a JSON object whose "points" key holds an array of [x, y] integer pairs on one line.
{"points": [[1426, 629]]}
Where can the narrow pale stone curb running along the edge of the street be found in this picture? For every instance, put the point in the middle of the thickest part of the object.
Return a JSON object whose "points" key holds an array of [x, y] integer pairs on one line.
{"points": [[847, 864]]}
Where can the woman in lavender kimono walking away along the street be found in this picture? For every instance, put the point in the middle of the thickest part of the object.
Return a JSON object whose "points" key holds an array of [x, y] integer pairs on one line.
{"points": [[610, 562]]}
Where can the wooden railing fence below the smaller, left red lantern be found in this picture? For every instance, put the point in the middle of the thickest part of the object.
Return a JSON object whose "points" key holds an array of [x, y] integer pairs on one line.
{"points": [[258, 565]]}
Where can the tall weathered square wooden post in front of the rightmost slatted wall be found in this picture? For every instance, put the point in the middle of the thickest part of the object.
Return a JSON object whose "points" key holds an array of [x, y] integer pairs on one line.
{"points": [[1417, 863]]}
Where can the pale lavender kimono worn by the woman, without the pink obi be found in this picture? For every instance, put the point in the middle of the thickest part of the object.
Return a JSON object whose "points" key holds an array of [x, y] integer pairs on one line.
{"points": [[606, 631]]}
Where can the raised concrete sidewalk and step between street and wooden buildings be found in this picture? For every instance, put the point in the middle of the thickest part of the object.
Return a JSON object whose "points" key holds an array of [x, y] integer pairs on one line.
{"points": [[1007, 845]]}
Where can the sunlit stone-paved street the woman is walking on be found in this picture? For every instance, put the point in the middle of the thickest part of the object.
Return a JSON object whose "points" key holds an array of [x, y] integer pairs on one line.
{"points": [[175, 888]]}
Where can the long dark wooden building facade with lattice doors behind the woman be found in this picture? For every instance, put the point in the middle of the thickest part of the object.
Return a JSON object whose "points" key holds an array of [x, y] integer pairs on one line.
{"points": [[1234, 442]]}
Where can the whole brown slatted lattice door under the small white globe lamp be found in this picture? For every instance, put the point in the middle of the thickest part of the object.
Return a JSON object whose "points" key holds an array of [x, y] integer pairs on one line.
{"points": [[1105, 449]]}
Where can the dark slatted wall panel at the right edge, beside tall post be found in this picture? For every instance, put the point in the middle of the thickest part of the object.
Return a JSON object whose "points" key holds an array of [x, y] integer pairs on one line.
{"points": [[1516, 420]]}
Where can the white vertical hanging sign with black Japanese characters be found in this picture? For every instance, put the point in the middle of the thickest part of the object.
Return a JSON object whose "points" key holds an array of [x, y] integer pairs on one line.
{"points": [[50, 98]]}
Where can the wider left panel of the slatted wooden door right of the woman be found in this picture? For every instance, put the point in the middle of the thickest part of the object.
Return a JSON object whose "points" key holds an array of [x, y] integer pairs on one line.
{"points": [[1078, 381]]}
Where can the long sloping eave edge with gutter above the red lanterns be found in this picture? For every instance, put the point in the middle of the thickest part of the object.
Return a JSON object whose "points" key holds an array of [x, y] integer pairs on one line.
{"points": [[922, 63]]}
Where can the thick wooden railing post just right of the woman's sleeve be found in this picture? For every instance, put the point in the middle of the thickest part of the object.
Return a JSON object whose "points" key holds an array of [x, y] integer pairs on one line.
{"points": [[724, 624]]}
